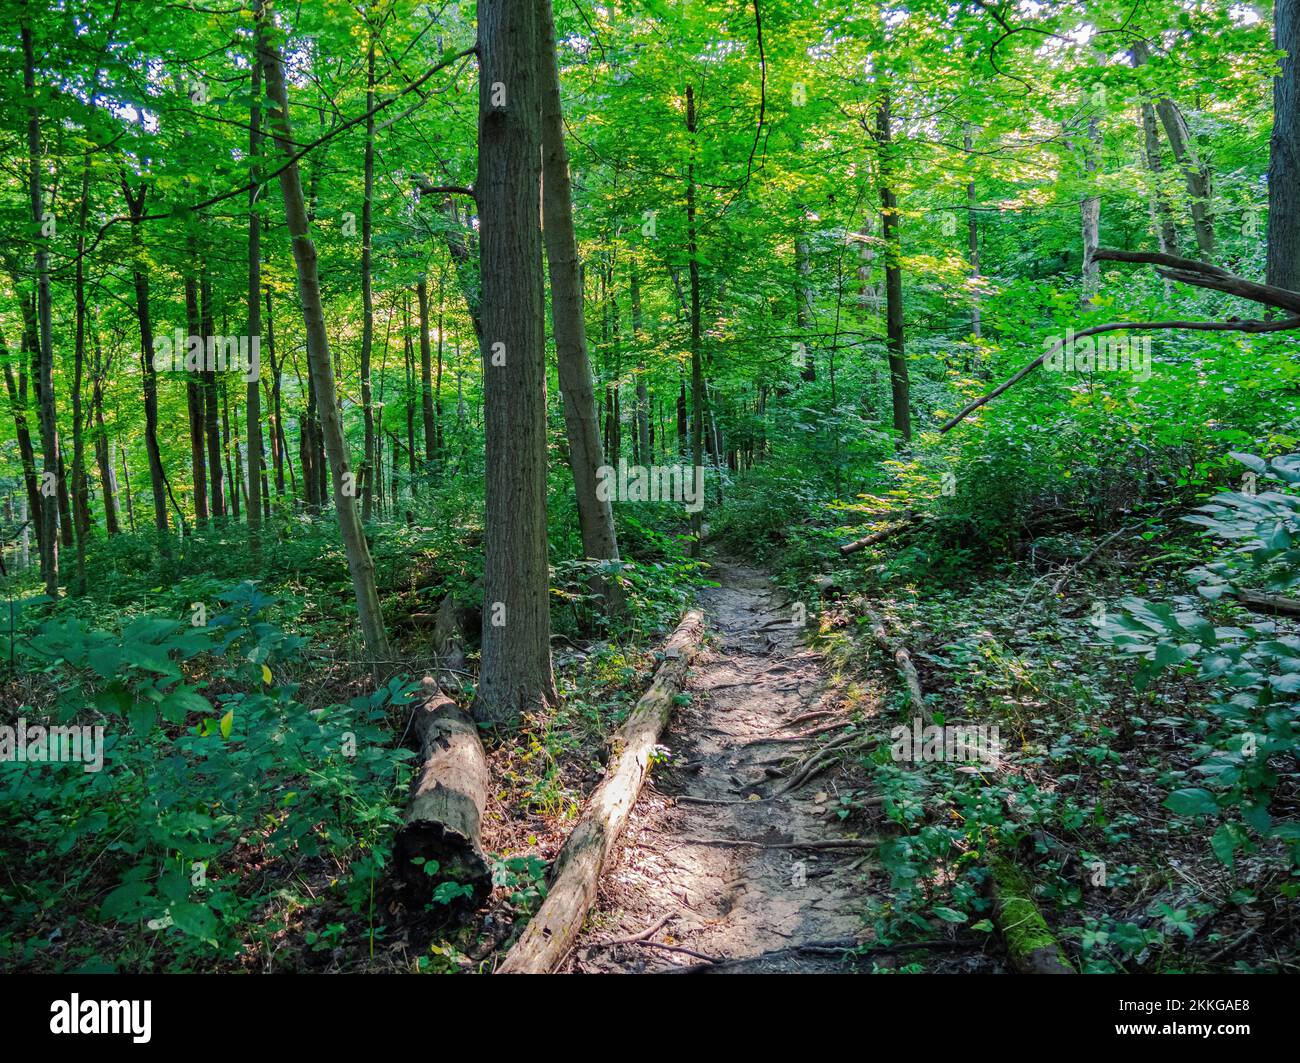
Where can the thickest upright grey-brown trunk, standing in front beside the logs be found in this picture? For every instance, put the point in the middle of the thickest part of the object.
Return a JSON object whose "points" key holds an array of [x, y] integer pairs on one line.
{"points": [[515, 676]]}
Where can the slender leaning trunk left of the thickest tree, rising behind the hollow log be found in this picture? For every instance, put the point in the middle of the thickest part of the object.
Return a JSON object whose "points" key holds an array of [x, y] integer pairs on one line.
{"points": [[359, 562]]}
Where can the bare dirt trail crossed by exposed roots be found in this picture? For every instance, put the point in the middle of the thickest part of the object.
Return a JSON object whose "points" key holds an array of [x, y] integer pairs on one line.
{"points": [[722, 901]]}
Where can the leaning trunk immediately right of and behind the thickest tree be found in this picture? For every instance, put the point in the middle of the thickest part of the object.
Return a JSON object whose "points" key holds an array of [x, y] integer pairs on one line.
{"points": [[595, 515]]}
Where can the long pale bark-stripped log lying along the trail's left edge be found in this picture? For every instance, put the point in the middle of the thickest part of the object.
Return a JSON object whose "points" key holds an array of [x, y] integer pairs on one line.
{"points": [[574, 882]]}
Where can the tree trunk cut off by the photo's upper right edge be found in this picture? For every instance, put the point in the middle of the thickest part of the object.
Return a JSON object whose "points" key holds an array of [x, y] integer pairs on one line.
{"points": [[1284, 261]]}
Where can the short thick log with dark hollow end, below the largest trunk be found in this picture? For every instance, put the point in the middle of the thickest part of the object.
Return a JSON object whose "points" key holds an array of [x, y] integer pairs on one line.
{"points": [[445, 815]]}
